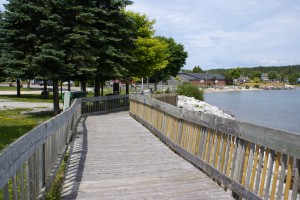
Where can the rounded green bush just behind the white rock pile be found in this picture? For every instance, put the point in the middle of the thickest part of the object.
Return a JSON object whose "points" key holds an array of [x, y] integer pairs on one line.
{"points": [[190, 91]]}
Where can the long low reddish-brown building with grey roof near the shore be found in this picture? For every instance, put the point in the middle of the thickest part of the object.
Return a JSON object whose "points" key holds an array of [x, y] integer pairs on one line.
{"points": [[203, 79]]}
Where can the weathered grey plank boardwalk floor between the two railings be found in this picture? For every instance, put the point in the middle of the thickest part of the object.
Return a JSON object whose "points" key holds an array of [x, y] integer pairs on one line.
{"points": [[115, 157]]}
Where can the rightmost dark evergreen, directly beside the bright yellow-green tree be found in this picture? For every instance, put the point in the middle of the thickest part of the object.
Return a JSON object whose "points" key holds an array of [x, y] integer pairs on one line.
{"points": [[114, 42]]}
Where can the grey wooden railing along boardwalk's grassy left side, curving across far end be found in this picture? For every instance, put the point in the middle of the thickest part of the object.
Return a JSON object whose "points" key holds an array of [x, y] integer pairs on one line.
{"points": [[29, 165]]}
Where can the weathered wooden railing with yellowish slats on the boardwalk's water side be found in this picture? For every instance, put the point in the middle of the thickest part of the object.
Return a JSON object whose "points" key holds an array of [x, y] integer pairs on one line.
{"points": [[255, 162]]}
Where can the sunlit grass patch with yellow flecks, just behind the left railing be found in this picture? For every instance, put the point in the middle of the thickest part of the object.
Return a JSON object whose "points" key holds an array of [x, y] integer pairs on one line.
{"points": [[13, 124]]}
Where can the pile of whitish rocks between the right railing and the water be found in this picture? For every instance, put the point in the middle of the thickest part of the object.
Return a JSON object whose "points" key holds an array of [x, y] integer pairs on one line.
{"points": [[191, 103]]}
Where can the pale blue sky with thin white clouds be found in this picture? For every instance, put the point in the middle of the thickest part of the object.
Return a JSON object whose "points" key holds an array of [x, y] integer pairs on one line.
{"points": [[228, 33]]}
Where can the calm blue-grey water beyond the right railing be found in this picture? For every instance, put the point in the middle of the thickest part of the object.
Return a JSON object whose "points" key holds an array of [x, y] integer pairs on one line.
{"points": [[278, 109]]}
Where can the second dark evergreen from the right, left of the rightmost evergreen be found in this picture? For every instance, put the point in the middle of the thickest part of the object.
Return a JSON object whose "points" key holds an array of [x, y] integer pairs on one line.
{"points": [[79, 17]]}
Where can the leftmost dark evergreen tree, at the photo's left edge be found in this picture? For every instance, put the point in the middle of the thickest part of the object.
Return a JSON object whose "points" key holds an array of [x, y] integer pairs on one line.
{"points": [[18, 33]]}
